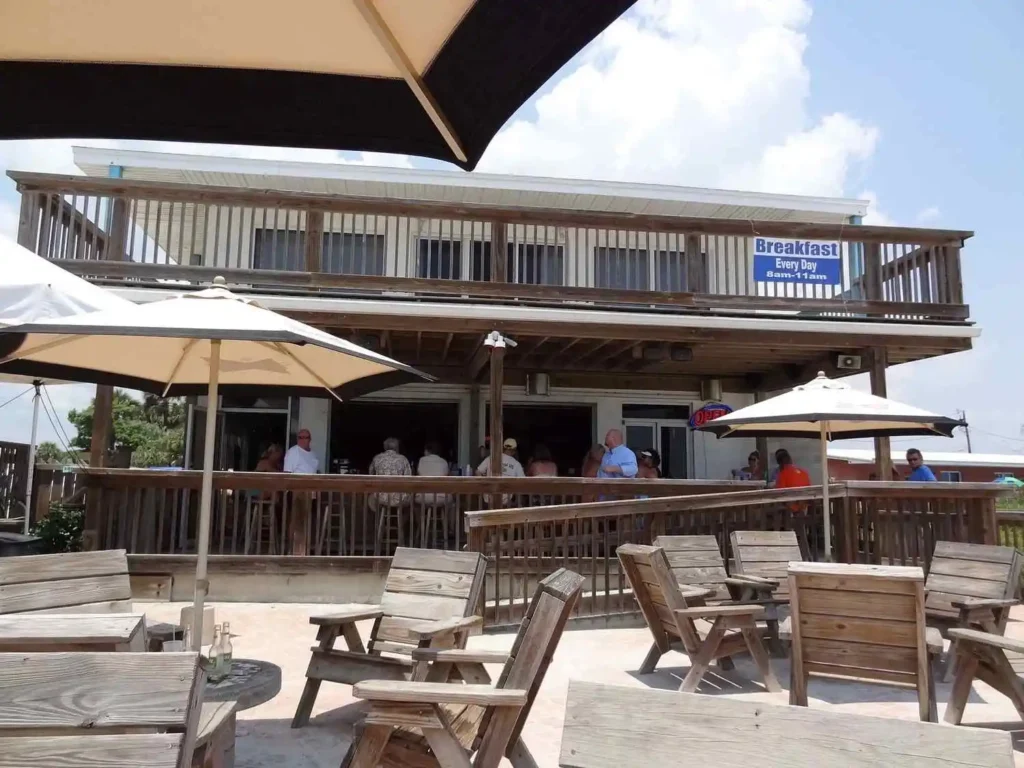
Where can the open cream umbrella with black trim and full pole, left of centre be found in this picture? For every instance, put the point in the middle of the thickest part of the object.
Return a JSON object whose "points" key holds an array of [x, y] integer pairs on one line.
{"points": [[207, 338]]}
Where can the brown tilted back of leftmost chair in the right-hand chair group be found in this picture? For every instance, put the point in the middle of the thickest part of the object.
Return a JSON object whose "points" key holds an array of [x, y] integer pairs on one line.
{"points": [[657, 591]]}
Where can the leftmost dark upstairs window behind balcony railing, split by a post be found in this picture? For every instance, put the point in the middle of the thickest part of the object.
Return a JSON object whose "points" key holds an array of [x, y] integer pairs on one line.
{"points": [[345, 253]]}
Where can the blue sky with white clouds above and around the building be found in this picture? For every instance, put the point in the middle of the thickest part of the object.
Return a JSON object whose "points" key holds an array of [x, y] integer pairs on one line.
{"points": [[916, 112]]}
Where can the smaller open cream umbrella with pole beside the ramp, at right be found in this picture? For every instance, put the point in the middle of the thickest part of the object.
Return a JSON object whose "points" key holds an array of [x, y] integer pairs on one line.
{"points": [[830, 410]]}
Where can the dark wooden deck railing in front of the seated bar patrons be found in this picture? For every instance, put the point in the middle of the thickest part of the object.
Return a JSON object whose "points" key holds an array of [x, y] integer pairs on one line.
{"points": [[155, 511]]}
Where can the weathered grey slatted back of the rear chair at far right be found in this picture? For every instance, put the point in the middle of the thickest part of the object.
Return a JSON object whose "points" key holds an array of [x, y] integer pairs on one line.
{"points": [[964, 571]]}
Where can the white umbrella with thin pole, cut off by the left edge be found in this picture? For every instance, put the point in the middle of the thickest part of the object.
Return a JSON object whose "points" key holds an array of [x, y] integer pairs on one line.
{"points": [[35, 290]]}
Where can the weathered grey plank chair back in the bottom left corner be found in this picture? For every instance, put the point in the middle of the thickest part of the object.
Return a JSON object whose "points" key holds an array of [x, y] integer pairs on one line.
{"points": [[90, 710]]}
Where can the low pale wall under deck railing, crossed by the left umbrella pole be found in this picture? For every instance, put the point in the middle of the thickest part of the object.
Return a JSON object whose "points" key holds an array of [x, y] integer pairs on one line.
{"points": [[262, 579]]}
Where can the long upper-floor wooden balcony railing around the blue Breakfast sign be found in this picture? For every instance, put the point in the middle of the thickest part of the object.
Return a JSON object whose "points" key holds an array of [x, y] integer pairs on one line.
{"points": [[121, 231]]}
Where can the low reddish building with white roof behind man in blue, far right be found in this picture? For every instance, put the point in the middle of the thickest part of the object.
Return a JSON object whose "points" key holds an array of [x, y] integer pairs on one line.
{"points": [[859, 464]]}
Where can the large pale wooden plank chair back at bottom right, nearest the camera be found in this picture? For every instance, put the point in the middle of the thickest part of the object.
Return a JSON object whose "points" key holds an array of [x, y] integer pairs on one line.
{"points": [[611, 728]]}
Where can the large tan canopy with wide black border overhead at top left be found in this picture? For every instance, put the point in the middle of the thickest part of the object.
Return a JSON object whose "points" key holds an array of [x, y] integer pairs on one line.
{"points": [[437, 78]]}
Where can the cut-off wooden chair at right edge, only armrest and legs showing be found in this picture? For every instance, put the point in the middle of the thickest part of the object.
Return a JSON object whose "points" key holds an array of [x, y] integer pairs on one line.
{"points": [[999, 661]]}
